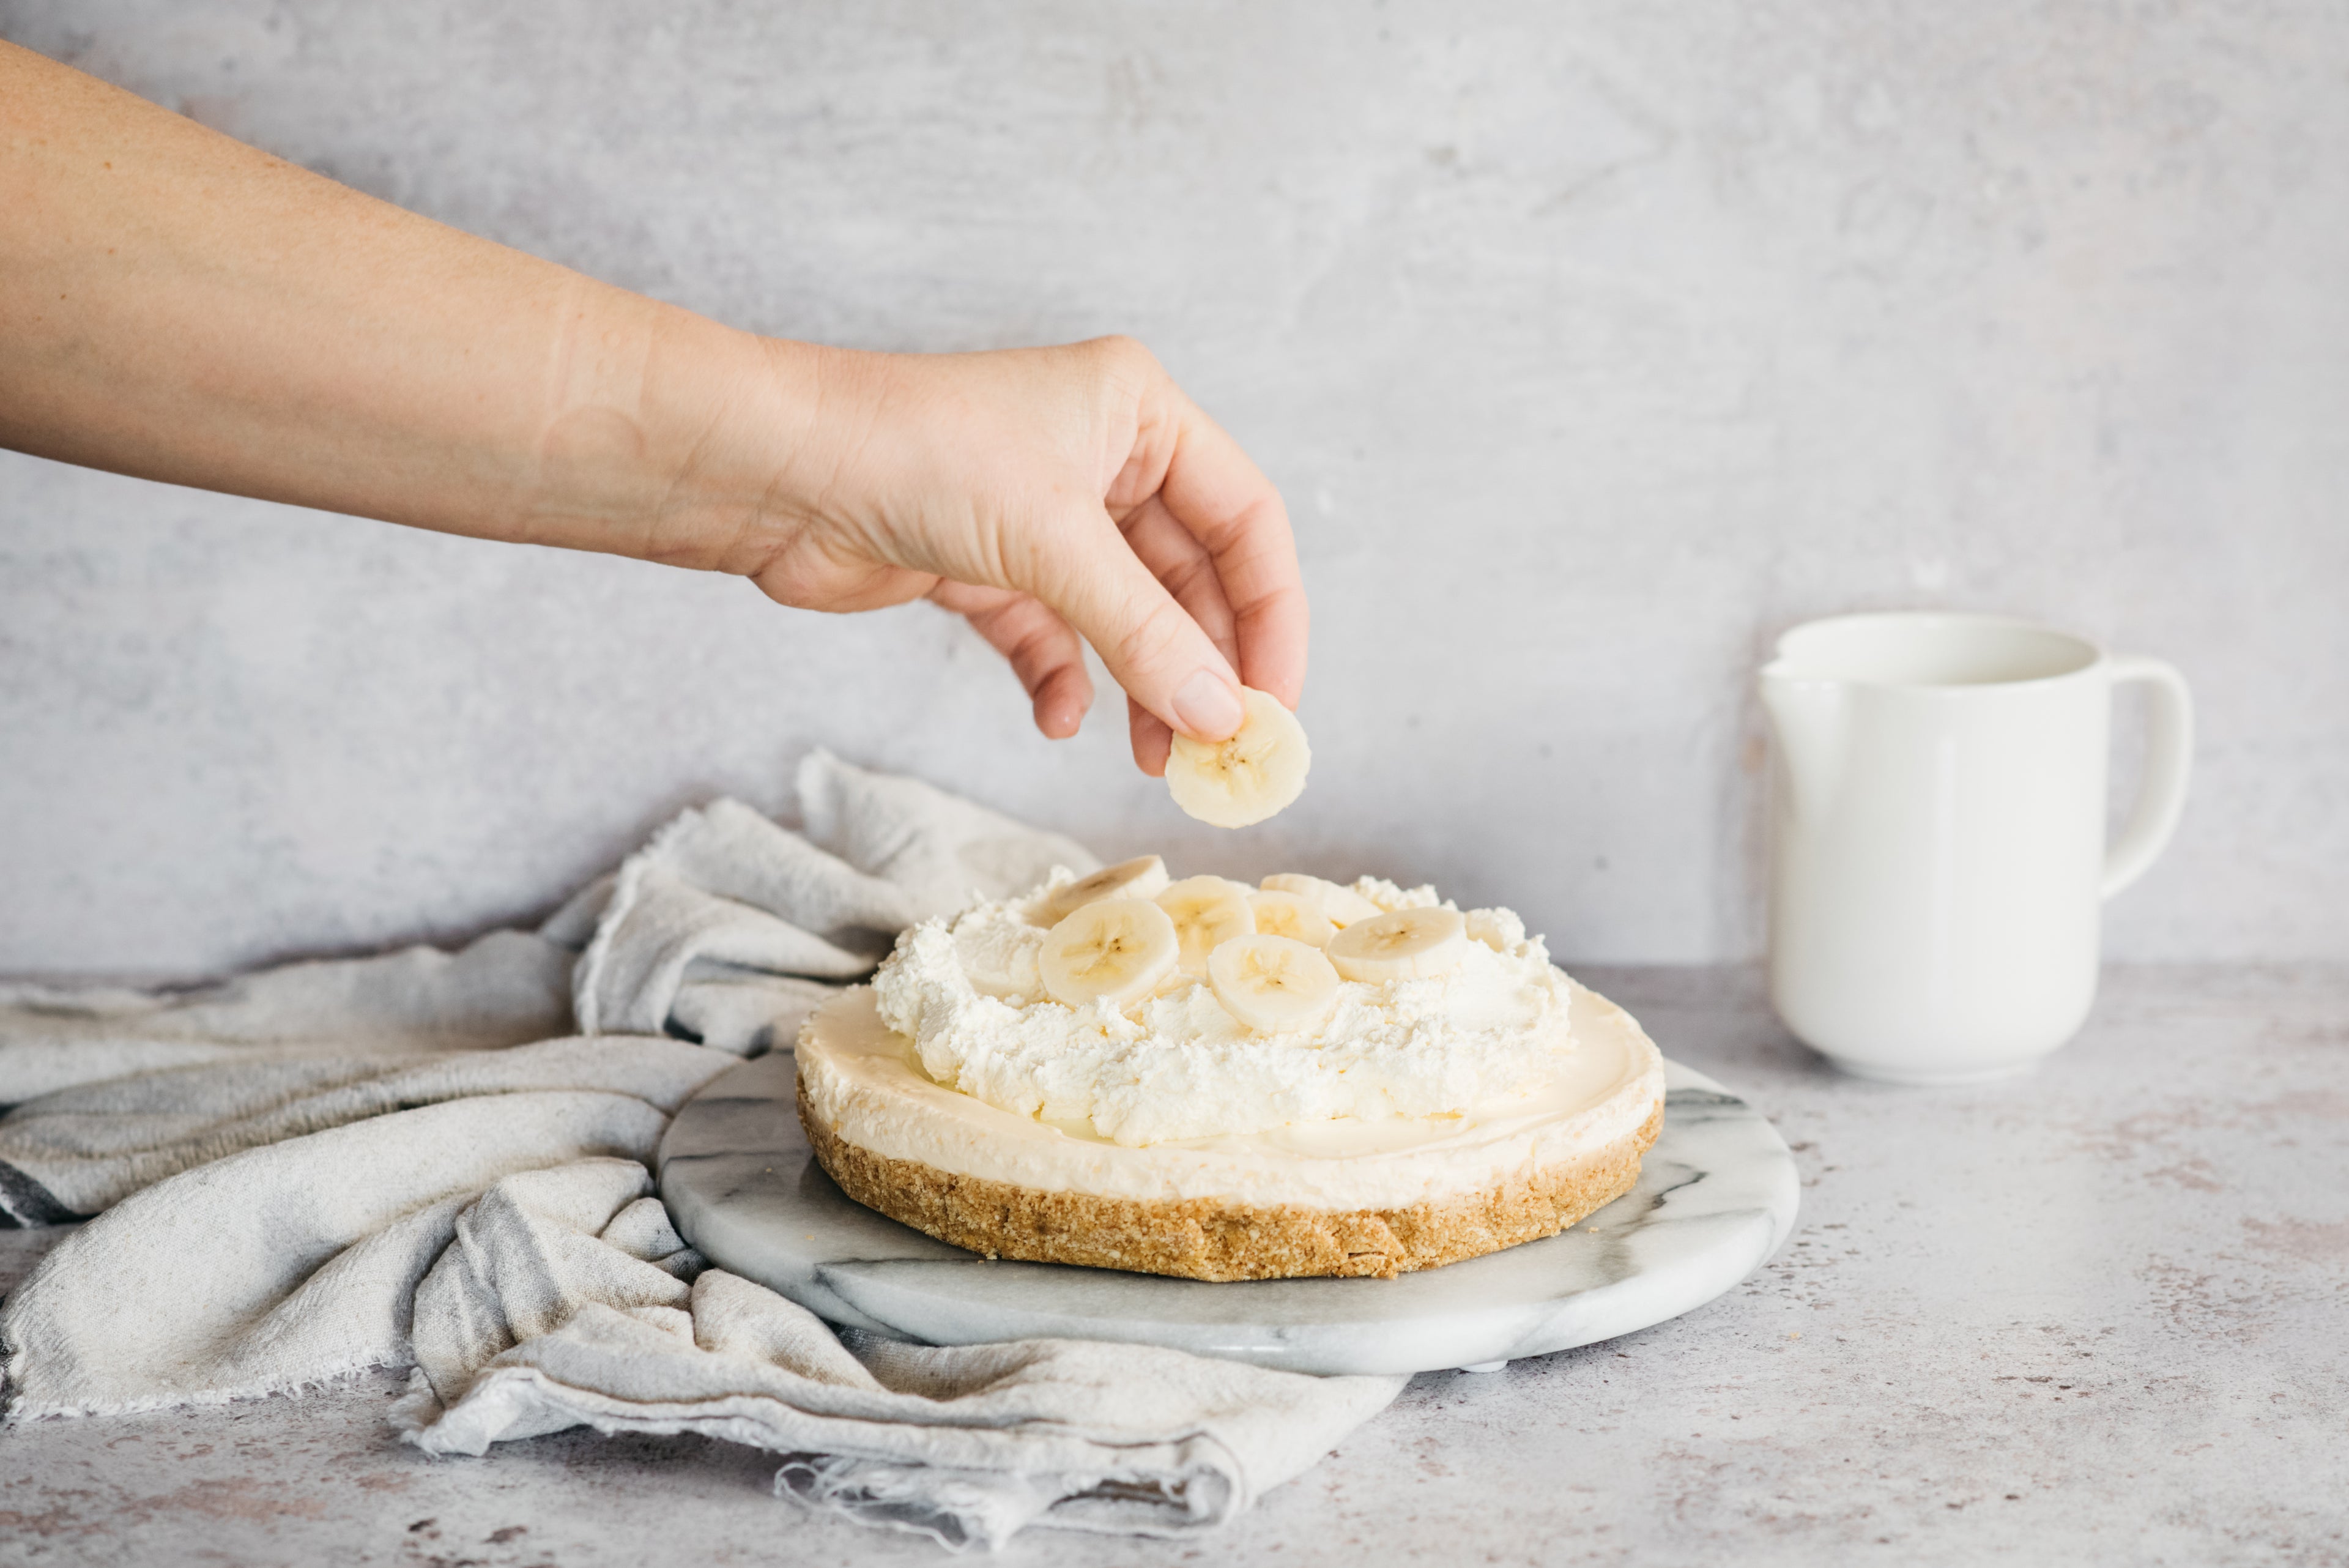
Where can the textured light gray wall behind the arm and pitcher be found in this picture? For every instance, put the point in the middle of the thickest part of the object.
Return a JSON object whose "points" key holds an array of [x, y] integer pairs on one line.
{"points": [[1591, 347]]}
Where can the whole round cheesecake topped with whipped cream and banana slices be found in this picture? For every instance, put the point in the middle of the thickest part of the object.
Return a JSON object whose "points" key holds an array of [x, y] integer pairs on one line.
{"points": [[1227, 1083]]}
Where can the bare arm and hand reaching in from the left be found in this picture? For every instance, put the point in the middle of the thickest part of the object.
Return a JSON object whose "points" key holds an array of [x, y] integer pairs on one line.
{"points": [[189, 309]]}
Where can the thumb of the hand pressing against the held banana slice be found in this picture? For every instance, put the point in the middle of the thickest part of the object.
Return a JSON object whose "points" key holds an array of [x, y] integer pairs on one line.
{"points": [[1150, 643]]}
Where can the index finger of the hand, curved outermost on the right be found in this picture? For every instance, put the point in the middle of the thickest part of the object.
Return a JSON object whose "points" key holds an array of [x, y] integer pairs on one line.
{"points": [[1234, 511]]}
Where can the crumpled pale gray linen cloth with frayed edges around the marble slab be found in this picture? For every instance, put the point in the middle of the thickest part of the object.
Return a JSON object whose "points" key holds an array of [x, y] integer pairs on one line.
{"points": [[389, 1162]]}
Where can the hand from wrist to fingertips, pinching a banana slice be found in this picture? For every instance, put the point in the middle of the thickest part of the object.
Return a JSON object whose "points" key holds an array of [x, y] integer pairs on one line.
{"points": [[1046, 495]]}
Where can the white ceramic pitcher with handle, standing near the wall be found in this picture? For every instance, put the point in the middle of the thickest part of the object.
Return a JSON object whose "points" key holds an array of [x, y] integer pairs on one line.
{"points": [[1939, 836]]}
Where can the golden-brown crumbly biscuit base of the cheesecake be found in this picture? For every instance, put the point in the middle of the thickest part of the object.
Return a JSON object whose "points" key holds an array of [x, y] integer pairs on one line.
{"points": [[1220, 1240]]}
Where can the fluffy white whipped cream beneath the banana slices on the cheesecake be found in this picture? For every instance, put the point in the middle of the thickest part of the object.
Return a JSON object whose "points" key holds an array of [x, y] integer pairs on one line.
{"points": [[1486, 1038]]}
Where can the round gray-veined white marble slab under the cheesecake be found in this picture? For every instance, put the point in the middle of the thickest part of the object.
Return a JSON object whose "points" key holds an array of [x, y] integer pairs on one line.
{"points": [[1716, 1198]]}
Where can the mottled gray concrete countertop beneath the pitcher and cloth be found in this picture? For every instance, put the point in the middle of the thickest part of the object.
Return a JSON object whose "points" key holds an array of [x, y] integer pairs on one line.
{"points": [[2089, 1315]]}
